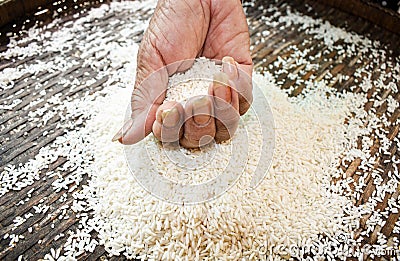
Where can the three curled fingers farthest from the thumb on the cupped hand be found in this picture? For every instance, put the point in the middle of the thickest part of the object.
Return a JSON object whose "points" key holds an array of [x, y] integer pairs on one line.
{"points": [[218, 118]]}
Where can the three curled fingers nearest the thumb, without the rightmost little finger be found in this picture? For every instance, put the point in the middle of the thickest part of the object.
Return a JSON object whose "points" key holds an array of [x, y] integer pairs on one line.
{"points": [[204, 118]]}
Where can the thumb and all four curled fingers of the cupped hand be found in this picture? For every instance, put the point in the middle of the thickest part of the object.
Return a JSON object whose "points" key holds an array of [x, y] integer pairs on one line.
{"points": [[203, 118]]}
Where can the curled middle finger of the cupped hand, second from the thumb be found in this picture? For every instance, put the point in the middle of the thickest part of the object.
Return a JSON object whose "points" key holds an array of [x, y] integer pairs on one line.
{"points": [[199, 127]]}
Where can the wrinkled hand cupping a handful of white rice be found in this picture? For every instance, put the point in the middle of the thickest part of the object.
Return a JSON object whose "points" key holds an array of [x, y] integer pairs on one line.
{"points": [[180, 31]]}
